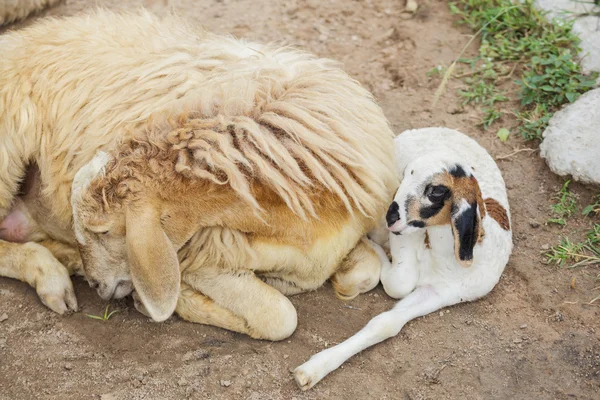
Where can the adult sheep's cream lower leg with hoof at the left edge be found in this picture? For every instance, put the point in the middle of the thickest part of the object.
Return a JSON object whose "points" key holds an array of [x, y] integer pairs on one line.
{"points": [[35, 264]]}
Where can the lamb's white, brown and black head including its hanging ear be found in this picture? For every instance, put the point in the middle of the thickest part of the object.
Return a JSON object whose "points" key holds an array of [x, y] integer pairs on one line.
{"points": [[437, 192]]}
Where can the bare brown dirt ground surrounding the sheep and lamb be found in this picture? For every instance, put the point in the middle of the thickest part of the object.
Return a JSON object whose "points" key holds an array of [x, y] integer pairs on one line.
{"points": [[533, 337]]}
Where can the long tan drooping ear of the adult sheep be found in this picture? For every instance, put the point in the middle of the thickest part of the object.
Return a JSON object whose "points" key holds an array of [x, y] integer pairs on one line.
{"points": [[153, 261]]}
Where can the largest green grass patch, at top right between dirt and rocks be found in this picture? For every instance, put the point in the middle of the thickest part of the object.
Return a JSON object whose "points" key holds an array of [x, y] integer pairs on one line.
{"points": [[518, 42]]}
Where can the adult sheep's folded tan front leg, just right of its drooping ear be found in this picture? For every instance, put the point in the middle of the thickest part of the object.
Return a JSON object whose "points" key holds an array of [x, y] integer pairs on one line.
{"points": [[257, 309]]}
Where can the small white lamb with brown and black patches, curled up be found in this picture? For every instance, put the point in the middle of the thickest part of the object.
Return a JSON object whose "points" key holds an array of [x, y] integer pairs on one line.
{"points": [[450, 238]]}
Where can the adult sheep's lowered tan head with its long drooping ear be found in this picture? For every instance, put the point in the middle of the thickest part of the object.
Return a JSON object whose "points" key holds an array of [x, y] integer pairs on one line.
{"points": [[123, 245]]}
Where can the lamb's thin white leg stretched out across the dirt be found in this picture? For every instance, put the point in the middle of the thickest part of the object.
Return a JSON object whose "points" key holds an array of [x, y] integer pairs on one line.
{"points": [[422, 301]]}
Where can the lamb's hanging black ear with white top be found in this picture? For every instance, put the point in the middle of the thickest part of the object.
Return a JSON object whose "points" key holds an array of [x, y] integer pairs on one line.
{"points": [[466, 222]]}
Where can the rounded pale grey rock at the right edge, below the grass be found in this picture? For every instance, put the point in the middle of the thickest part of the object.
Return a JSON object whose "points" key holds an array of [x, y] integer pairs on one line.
{"points": [[571, 143]]}
